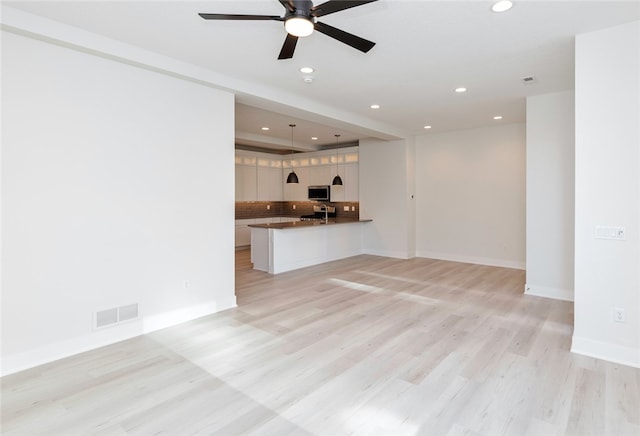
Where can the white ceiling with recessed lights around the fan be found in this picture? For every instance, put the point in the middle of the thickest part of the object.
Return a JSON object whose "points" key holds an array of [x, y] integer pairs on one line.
{"points": [[424, 50]]}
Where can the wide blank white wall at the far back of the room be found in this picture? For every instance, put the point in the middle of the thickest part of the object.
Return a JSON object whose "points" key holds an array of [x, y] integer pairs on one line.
{"points": [[470, 196]]}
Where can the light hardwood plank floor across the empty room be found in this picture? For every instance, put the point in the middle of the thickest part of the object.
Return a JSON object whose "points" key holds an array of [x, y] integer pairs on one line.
{"points": [[366, 345]]}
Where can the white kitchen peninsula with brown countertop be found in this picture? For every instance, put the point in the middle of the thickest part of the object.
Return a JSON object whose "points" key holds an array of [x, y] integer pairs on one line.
{"points": [[281, 247]]}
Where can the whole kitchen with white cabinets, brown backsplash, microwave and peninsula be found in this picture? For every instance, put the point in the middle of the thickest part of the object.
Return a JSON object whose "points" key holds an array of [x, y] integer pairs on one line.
{"points": [[292, 225]]}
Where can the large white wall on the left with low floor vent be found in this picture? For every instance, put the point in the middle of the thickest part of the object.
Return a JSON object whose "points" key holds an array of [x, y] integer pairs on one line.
{"points": [[116, 189]]}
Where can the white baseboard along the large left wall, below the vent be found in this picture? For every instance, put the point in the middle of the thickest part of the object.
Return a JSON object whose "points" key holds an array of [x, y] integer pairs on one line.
{"points": [[107, 336]]}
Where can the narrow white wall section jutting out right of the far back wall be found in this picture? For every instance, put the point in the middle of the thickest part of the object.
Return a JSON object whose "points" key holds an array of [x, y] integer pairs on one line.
{"points": [[550, 195]]}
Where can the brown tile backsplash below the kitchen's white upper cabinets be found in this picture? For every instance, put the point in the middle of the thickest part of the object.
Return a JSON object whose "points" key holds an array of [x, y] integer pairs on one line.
{"points": [[266, 209]]}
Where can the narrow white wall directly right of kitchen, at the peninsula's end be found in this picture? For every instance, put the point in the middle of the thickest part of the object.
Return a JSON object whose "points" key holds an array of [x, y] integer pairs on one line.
{"points": [[384, 198]]}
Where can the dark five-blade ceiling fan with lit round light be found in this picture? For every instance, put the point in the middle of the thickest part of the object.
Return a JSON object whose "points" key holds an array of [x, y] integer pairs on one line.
{"points": [[300, 20]]}
